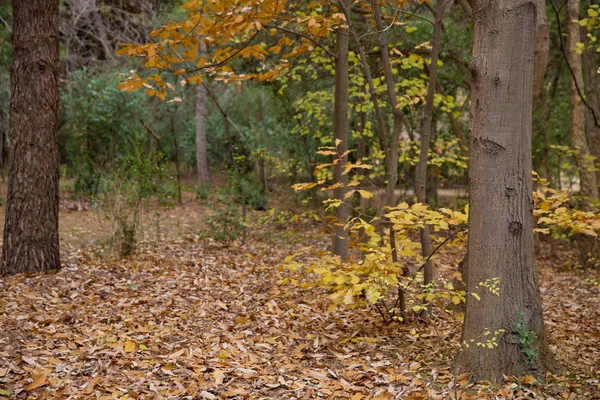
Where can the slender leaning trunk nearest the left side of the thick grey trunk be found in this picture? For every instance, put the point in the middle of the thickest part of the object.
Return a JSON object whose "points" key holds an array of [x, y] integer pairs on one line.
{"points": [[421, 173]]}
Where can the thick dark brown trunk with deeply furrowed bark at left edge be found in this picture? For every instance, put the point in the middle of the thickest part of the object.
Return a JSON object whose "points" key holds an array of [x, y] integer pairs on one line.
{"points": [[31, 241]]}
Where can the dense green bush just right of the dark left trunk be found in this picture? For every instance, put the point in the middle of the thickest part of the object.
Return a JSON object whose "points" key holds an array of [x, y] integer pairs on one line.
{"points": [[101, 125]]}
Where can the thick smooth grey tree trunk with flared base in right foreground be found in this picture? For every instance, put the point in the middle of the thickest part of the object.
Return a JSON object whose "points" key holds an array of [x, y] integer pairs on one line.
{"points": [[500, 191]]}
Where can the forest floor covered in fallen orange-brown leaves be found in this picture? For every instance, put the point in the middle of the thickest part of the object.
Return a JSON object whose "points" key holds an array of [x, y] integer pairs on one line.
{"points": [[190, 318]]}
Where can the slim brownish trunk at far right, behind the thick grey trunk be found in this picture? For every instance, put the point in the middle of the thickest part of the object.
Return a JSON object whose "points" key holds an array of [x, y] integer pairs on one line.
{"points": [[587, 178]]}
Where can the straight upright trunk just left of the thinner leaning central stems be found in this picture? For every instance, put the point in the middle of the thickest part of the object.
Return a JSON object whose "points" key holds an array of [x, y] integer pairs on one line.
{"points": [[340, 131]]}
